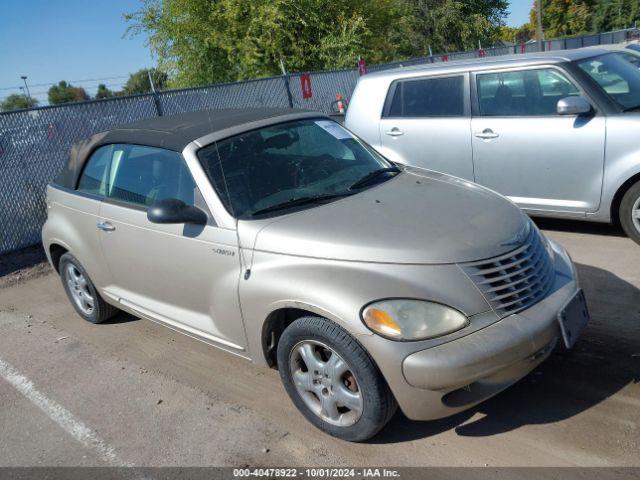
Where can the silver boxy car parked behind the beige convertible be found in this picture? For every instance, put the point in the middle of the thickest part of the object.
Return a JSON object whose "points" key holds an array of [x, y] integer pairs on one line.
{"points": [[558, 132]]}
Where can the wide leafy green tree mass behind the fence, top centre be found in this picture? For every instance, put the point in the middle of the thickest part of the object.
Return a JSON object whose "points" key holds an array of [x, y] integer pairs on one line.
{"points": [[204, 41]]}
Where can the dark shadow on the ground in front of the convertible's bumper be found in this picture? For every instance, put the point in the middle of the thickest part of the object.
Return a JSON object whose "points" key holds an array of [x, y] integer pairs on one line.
{"points": [[605, 360]]}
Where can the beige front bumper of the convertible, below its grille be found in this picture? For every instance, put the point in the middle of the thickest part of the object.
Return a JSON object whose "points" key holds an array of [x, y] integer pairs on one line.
{"points": [[451, 377]]}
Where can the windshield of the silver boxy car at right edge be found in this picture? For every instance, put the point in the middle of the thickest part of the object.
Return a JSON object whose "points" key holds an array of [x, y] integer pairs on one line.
{"points": [[617, 77]]}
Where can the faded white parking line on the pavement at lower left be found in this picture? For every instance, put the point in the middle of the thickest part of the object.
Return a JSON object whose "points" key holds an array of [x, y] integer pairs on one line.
{"points": [[60, 415]]}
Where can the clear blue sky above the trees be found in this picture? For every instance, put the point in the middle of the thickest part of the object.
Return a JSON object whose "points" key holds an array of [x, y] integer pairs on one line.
{"points": [[81, 41]]}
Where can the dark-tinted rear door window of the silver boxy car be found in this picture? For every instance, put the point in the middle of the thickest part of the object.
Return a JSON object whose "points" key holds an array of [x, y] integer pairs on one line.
{"points": [[427, 97]]}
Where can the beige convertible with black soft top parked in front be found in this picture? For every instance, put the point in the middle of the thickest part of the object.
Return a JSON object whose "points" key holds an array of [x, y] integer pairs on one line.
{"points": [[280, 237]]}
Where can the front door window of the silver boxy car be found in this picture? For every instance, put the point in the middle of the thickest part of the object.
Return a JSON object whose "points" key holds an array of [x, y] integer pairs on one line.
{"points": [[523, 93]]}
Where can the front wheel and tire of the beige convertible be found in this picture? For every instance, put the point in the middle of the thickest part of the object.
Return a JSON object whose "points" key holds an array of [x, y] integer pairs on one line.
{"points": [[344, 367]]}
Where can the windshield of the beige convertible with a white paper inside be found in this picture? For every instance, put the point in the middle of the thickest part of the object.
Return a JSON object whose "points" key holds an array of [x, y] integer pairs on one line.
{"points": [[291, 165]]}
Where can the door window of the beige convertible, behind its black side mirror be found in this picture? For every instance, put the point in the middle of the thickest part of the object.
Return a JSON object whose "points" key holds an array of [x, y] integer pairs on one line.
{"points": [[141, 175]]}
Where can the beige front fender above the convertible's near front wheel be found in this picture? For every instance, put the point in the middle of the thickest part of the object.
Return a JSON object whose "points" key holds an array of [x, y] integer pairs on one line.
{"points": [[338, 290]]}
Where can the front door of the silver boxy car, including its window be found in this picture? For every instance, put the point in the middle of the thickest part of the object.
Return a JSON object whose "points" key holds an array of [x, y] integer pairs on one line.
{"points": [[523, 149]]}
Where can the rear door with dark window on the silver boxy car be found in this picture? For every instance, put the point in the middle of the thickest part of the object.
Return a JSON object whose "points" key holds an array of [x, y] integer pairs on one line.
{"points": [[426, 123]]}
